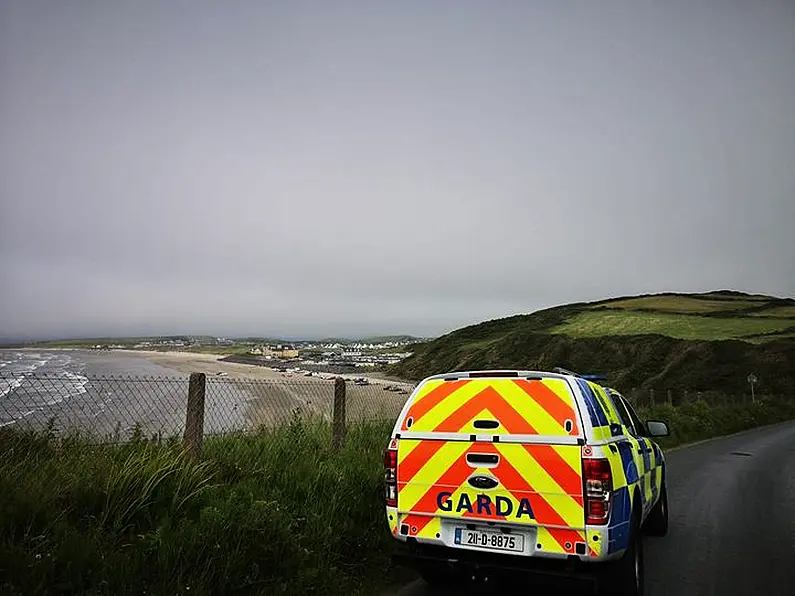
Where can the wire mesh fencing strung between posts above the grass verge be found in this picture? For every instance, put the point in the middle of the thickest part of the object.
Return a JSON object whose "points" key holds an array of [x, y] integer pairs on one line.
{"points": [[115, 408]]}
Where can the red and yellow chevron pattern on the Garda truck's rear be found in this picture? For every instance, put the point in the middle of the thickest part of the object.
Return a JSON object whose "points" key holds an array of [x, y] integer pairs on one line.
{"points": [[540, 485]]}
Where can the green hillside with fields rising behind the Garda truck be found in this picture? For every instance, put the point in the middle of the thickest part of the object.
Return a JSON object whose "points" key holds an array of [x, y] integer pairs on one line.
{"points": [[704, 342]]}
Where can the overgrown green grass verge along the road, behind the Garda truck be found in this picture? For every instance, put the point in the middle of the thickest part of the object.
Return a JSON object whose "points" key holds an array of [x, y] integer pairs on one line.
{"points": [[273, 513]]}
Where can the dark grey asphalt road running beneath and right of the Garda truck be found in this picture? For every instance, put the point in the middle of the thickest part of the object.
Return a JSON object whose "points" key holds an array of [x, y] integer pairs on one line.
{"points": [[732, 522]]}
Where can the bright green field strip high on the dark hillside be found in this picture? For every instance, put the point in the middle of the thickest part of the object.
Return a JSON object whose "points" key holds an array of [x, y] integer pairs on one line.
{"points": [[597, 323]]}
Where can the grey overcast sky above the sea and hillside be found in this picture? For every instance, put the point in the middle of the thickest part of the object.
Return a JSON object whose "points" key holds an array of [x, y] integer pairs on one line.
{"points": [[344, 168]]}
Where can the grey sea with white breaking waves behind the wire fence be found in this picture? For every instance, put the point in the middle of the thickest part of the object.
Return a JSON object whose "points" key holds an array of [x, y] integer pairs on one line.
{"points": [[108, 395]]}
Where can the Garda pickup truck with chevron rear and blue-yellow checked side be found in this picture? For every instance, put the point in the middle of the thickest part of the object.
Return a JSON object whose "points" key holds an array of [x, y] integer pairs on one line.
{"points": [[535, 472]]}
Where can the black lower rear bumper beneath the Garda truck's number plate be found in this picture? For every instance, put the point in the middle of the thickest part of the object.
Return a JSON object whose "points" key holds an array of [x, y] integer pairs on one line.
{"points": [[421, 557]]}
